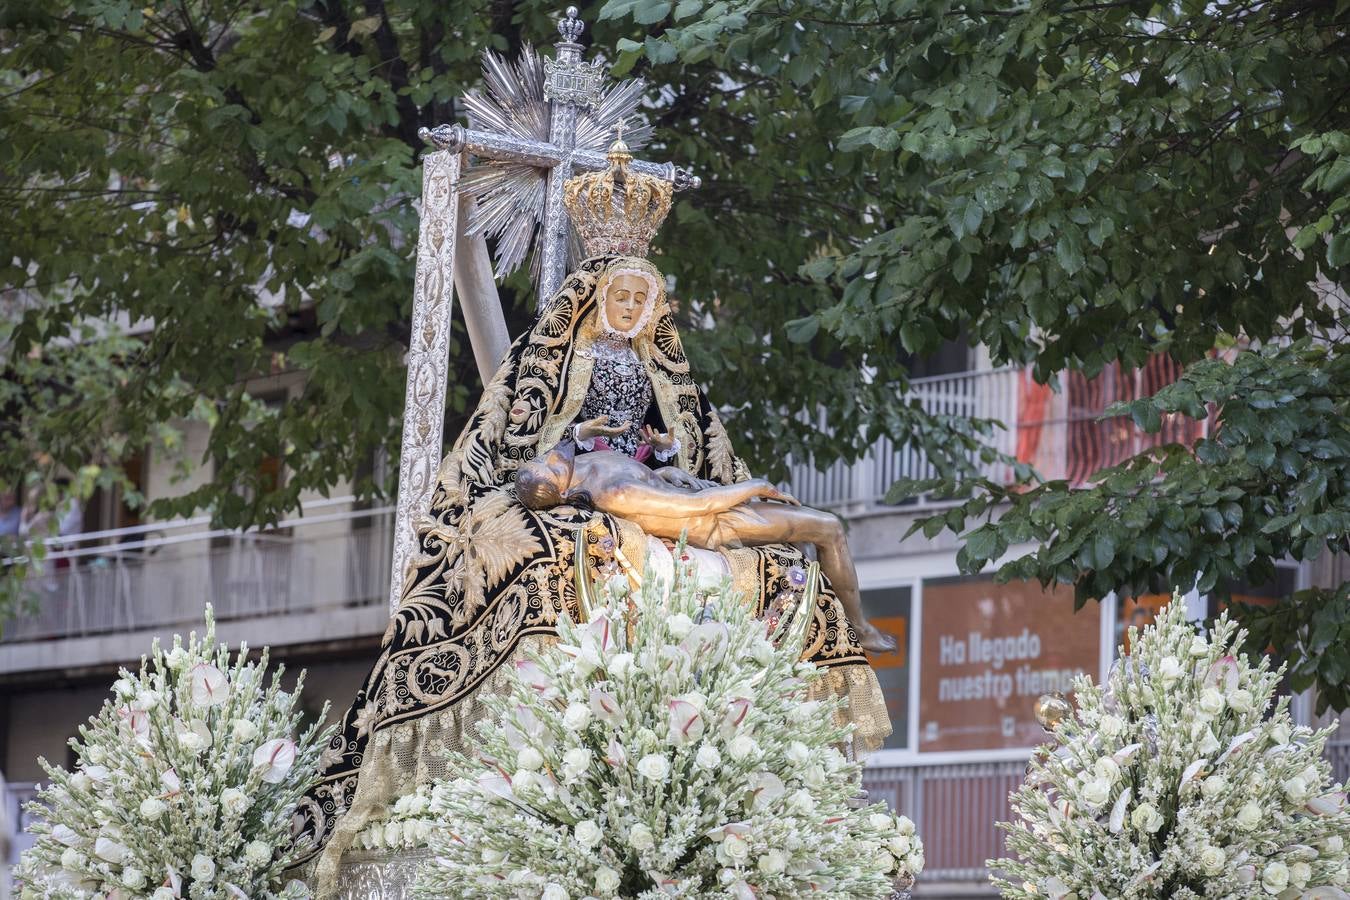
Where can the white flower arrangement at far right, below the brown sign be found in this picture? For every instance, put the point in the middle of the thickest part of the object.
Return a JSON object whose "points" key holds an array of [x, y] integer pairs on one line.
{"points": [[1174, 783]]}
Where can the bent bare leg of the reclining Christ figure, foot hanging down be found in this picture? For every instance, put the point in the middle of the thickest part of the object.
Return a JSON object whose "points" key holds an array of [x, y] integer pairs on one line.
{"points": [[792, 524]]}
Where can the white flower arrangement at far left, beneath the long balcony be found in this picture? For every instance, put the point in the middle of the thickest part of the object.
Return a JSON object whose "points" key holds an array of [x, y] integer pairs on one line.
{"points": [[187, 785]]}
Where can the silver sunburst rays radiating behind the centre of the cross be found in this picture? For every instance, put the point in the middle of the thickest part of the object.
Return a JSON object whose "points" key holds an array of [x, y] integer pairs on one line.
{"points": [[511, 195]]}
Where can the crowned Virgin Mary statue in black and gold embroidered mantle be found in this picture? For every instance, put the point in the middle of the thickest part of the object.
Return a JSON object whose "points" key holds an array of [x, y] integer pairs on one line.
{"points": [[603, 364]]}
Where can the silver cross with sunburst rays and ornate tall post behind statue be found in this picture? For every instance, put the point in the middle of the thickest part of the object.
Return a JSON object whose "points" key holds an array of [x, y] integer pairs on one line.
{"points": [[535, 125]]}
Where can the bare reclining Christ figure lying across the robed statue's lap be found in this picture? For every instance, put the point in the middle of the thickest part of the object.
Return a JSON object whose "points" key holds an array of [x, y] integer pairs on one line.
{"points": [[669, 503]]}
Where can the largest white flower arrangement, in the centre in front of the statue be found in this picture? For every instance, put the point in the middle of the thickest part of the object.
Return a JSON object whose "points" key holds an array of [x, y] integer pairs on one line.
{"points": [[666, 748]]}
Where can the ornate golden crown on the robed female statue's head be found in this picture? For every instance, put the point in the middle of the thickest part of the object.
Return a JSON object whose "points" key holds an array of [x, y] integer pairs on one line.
{"points": [[620, 225]]}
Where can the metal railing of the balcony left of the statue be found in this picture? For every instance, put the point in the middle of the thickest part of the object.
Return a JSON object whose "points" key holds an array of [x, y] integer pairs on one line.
{"points": [[161, 575]]}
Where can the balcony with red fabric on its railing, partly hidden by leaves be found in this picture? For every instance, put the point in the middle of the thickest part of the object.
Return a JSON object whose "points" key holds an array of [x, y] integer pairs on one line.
{"points": [[1059, 434]]}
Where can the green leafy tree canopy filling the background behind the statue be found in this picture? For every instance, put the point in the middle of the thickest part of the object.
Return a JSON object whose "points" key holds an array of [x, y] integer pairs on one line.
{"points": [[1071, 186]]}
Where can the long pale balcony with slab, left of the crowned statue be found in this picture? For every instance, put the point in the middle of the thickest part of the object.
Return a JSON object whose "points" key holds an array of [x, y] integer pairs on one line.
{"points": [[318, 578]]}
